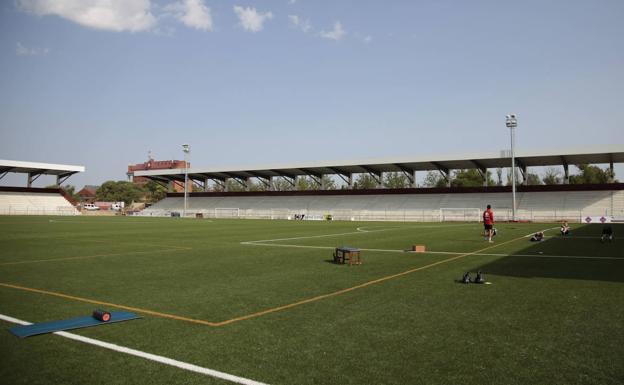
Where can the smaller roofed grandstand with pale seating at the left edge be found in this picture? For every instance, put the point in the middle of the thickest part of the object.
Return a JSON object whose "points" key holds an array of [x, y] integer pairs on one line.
{"points": [[36, 201]]}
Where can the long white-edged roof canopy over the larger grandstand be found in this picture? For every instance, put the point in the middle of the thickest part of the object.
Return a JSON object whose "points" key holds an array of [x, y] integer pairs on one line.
{"points": [[482, 161]]}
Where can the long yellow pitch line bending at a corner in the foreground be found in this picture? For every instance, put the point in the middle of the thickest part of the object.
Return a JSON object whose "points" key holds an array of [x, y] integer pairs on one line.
{"points": [[260, 313]]}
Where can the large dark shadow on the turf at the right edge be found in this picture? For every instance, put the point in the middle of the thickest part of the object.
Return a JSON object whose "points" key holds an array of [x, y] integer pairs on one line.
{"points": [[534, 264]]}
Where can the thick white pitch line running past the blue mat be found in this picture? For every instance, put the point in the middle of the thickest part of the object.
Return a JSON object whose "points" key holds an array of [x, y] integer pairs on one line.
{"points": [[147, 356]]}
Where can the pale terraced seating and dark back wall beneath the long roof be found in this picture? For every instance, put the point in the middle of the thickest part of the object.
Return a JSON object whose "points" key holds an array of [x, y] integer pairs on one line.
{"points": [[536, 206]]}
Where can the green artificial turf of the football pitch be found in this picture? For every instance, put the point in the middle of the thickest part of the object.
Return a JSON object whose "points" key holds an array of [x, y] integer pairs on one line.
{"points": [[553, 313]]}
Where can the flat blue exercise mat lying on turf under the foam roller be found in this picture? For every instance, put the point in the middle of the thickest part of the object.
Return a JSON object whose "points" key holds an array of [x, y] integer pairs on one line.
{"points": [[74, 323]]}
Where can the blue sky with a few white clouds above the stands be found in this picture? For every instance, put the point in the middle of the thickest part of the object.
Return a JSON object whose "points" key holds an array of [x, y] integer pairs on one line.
{"points": [[287, 81]]}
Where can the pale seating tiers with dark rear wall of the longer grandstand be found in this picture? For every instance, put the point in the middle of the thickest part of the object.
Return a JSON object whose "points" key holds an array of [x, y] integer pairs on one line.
{"points": [[553, 203]]}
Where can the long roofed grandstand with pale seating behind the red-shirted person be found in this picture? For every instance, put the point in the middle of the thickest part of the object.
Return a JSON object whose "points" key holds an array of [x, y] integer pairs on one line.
{"points": [[534, 203]]}
